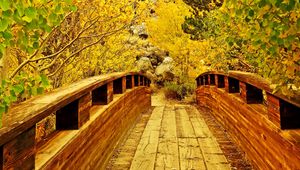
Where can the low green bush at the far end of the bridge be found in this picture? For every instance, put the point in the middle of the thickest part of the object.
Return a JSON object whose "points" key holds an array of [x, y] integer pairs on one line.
{"points": [[175, 90]]}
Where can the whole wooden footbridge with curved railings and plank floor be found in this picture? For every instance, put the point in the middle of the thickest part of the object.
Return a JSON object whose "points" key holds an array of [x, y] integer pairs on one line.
{"points": [[93, 118]]}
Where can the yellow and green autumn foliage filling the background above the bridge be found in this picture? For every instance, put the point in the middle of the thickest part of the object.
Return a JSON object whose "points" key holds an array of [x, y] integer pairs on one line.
{"points": [[46, 44]]}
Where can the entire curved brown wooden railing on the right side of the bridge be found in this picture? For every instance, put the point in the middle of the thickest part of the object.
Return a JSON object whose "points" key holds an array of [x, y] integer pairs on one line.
{"points": [[265, 125]]}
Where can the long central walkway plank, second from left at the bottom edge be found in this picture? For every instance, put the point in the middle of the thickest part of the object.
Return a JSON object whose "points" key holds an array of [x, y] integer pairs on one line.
{"points": [[167, 156]]}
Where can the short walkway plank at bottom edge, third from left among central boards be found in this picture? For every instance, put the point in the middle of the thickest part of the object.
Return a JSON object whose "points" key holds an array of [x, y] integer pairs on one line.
{"points": [[190, 154]]}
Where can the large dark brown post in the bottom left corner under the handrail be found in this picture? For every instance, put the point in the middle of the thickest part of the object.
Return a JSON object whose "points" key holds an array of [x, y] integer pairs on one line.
{"points": [[19, 153]]}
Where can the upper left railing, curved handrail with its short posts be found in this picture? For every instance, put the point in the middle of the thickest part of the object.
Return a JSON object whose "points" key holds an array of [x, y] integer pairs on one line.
{"points": [[71, 105]]}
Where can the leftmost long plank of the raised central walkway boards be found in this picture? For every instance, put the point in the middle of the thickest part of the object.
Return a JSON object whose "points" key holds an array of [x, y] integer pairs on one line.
{"points": [[146, 152]]}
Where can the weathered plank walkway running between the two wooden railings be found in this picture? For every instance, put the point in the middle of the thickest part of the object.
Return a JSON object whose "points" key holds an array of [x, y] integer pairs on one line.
{"points": [[170, 136]]}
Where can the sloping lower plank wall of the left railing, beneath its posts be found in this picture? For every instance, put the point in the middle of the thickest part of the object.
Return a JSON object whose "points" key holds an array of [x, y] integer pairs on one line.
{"points": [[92, 145]]}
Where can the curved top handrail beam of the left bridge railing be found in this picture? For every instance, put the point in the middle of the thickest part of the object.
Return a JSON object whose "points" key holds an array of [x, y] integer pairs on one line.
{"points": [[28, 113]]}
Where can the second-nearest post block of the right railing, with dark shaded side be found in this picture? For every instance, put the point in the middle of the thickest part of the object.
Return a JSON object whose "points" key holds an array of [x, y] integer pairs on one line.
{"points": [[250, 94]]}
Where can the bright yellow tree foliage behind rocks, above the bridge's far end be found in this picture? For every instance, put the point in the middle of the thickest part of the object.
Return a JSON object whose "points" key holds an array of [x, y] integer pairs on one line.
{"points": [[165, 32]]}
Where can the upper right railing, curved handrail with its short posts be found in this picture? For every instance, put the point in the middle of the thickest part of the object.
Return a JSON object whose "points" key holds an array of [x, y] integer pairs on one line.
{"points": [[253, 89]]}
